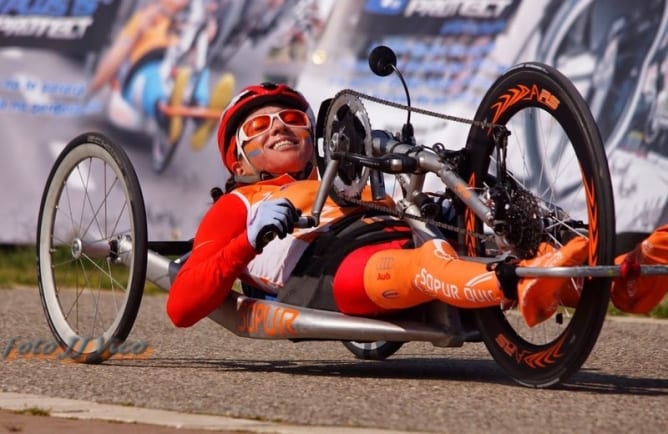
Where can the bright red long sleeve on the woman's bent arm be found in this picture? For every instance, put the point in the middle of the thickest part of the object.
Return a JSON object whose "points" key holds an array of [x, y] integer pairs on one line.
{"points": [[221, 252]]}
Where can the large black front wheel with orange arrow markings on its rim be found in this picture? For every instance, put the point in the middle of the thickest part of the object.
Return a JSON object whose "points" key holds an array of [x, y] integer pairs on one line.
{"points": [[550, 352]]}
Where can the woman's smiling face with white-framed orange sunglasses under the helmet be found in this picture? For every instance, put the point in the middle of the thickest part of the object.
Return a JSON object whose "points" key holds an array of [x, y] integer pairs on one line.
{"points": [[278, 143]]}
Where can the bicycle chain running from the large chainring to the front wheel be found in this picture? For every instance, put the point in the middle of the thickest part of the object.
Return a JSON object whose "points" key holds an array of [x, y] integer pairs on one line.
{"points": [[389, 211]]}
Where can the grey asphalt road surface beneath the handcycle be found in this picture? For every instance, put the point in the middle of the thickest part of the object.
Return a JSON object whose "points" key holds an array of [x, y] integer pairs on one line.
{"points": [[206, 369]]}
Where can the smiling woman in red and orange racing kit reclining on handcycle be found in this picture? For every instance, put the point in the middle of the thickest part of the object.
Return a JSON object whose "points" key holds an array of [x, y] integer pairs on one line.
{"points": [[355, 263]]}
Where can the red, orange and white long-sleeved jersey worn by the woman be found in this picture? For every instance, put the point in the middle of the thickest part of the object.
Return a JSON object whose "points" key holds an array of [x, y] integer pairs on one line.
{"points": [[222, 253]]}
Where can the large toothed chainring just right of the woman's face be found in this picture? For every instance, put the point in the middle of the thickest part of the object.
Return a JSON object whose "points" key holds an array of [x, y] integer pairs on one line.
{"points": [[348, 185]]}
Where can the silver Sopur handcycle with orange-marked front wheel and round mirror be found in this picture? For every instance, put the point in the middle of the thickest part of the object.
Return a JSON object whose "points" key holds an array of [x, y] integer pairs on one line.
{"points": [[92, 223]]}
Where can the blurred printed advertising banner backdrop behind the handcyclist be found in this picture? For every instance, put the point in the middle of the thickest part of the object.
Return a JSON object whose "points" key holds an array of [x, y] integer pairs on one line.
{"points": [[450, 52]]}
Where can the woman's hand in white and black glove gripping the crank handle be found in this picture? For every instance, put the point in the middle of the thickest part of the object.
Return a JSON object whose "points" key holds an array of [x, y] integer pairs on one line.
{"points": [[273, 218]]}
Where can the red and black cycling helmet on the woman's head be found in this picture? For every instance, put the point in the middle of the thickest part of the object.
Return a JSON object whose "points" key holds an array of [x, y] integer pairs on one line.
{"points": [[248, 100]]}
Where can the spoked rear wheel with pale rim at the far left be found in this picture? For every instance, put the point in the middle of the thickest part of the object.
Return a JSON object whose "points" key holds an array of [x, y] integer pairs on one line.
{"points": [[91, 248]]}
